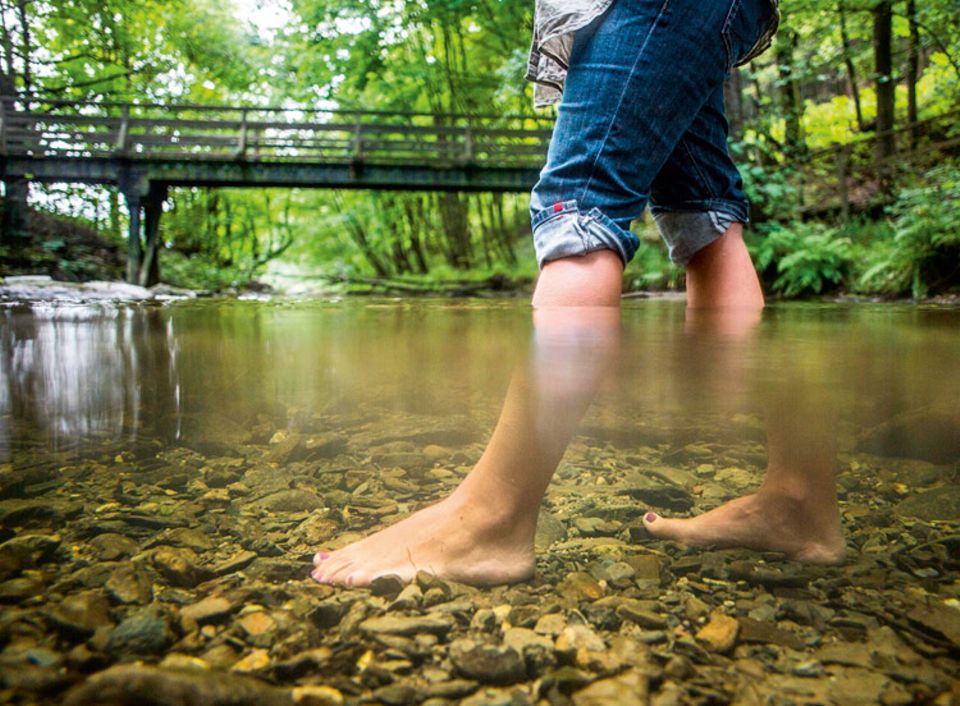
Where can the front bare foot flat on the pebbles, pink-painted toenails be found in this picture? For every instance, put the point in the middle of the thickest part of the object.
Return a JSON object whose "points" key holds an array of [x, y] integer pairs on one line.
{"points": [[455, 539]]}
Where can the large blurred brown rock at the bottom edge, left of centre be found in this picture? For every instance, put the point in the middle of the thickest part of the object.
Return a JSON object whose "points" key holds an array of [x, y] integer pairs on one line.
{"points": [[134, 685]]}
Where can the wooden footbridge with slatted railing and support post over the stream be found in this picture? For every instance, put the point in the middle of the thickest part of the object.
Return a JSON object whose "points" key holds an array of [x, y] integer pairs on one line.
{"points": [[144, 149]]}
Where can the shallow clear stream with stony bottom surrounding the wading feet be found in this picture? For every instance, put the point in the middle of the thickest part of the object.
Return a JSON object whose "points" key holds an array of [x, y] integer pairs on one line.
{"points": [[168, 470]]}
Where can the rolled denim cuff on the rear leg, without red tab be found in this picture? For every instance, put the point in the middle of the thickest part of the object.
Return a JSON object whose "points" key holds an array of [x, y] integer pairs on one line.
{"points": [[688, 230]]}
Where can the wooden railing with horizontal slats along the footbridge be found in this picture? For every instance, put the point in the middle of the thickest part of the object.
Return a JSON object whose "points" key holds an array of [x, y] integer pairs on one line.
{"points": [[153, 131]]}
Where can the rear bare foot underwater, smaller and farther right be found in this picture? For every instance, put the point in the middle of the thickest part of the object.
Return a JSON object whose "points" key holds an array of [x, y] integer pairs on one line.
{"points": [[766, 521]]}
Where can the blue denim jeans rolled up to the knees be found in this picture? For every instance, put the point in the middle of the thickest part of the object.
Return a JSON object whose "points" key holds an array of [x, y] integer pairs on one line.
{"points": [[641, 121]]}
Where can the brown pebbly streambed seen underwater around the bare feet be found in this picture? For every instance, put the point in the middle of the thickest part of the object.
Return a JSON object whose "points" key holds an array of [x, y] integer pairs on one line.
{"points": [[151, 573]]}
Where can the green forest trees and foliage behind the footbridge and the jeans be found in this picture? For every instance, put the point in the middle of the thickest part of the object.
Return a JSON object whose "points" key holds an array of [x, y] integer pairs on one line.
{"points": [[845, 132]]}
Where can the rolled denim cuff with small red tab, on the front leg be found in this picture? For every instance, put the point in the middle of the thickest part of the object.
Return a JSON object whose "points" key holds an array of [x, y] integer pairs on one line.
{"points": [[562, 230]]}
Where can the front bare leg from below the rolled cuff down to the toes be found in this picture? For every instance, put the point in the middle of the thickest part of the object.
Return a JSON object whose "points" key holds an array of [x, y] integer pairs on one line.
{"points": [[483, 532]]}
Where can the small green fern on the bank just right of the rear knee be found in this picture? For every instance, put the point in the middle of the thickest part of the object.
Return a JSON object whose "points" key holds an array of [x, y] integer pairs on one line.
{"points": [[801, 259]]}
